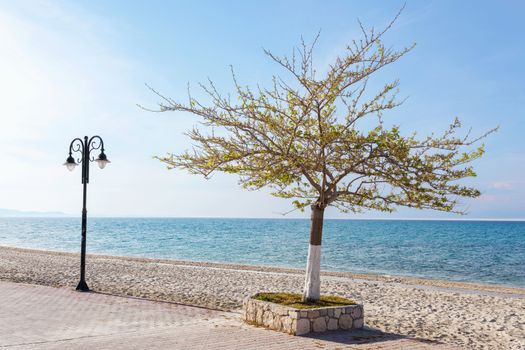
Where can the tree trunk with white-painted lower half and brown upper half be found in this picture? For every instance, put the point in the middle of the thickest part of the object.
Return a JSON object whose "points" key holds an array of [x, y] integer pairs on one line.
{"points": [[312, 285]]}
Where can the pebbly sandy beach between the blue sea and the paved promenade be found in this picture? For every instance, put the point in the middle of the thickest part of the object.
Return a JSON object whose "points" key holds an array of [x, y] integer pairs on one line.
{"points": [[473, 316]]}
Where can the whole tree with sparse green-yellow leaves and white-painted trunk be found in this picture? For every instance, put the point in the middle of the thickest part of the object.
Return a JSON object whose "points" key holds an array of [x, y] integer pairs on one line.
{"points": [[304, 138]]}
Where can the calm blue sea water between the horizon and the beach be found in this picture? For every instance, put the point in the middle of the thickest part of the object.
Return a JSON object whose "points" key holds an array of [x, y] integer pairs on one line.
{"points": [[489, 252]]}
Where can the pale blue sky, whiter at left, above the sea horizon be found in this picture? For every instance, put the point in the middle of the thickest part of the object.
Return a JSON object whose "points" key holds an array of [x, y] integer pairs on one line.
{"points": [[75, 68]]}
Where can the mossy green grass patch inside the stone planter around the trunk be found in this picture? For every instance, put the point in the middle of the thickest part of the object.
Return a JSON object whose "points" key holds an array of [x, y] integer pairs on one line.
{"points": [[296, 300]]}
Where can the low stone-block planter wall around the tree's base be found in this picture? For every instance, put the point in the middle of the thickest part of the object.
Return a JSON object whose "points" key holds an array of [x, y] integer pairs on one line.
{"points": [[301, 321]]}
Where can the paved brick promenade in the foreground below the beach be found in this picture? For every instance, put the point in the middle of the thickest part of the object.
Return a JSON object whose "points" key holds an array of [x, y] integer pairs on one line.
{"points": [[38, 317]]}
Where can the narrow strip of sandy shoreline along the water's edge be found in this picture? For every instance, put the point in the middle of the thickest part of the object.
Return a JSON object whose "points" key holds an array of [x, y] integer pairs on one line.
{"points": [[385, 278]]}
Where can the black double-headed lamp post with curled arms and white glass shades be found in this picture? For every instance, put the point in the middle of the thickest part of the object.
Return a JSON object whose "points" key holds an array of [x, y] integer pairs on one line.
{"points": [[84, 148]]}
